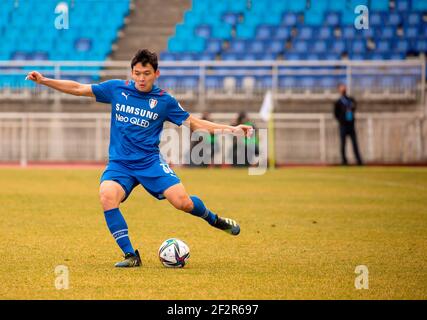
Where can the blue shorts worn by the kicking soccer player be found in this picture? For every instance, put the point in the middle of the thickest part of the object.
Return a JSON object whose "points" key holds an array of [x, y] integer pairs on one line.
{"points": [[156, 178]]}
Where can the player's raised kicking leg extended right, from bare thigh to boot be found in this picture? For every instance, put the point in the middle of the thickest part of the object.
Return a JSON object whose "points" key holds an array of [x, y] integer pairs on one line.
{"points": [[179, 198]]}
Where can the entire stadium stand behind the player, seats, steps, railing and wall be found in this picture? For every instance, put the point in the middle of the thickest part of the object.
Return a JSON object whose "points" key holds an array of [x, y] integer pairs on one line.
{"points": [[221, 56]]}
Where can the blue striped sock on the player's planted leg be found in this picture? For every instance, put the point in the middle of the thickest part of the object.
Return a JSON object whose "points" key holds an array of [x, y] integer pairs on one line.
{"points": [[119, 229]]}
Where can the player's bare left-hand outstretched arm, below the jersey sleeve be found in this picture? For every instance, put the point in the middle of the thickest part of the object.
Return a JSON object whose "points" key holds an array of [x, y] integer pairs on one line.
{"points": [[66, 86]]}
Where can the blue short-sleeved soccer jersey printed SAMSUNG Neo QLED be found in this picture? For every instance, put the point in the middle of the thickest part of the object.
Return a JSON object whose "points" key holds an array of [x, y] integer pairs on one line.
{"points": [[137, 119]]}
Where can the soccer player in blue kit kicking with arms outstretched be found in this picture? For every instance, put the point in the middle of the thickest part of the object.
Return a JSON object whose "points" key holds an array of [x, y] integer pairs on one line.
{"points": [[139, 109]]}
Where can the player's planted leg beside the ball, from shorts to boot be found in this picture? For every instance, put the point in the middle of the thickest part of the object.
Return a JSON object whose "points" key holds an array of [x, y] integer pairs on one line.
{"points": [[114, 188]]}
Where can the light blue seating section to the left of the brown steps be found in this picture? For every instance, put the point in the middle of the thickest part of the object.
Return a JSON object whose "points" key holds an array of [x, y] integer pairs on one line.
{"points": [[26, 37]]}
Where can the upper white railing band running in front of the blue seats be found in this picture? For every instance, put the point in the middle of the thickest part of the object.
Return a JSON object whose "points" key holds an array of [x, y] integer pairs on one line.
{"points": [[372, 80]]}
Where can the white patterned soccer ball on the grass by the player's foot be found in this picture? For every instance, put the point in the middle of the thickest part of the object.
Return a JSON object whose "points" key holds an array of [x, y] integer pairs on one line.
{"points": [[174, 253]]}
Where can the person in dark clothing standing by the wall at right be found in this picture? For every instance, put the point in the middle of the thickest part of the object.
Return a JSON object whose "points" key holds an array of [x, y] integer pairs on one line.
{"points": [[344, 111]]}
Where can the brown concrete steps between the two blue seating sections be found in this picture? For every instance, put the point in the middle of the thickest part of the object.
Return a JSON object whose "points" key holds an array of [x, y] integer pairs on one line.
{"points": [[149, 25]]}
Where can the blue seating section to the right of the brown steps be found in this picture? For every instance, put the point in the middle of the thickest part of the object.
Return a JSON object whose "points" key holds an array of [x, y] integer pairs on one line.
{"points": [[236, 30]]}
